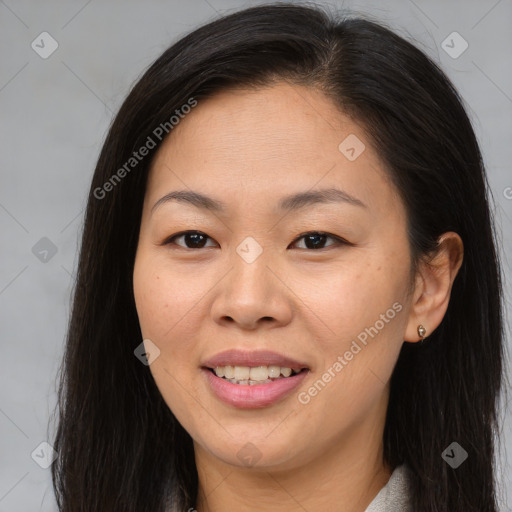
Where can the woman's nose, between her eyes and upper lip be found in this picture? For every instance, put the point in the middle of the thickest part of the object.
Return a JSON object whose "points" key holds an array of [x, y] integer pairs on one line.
{"points": [[253, 295]]}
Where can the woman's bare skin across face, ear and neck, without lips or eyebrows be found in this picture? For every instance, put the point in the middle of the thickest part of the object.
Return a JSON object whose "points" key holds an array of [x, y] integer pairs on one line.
{"points": [[249, 148]]}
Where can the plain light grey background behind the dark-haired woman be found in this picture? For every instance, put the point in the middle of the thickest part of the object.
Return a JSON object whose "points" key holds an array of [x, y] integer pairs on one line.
{"points": [[55, 113]]}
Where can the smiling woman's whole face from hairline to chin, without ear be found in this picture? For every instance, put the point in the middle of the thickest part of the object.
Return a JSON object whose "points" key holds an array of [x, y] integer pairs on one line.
{"points": [[250, 282]]}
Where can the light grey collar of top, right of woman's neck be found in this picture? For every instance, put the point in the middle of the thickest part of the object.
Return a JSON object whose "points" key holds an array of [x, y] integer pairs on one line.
{"points": [[395, 495]]}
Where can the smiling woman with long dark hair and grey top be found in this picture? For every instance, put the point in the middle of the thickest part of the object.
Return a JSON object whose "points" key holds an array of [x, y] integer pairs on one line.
{"points": [[288, 294]]}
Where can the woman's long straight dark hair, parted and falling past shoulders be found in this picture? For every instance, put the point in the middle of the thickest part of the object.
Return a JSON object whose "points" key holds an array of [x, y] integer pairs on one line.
{"points": [[119, 446]]}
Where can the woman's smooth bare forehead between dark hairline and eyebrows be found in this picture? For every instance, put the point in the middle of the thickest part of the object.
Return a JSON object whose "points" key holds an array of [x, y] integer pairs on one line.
{"points": [[262, 144]]}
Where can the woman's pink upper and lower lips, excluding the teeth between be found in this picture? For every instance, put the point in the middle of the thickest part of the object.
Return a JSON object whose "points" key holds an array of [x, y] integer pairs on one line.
{"points": [[258, 395]]}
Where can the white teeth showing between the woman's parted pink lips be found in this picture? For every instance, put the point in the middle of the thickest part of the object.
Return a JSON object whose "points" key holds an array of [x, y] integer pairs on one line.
{"points": [[255, 375]]}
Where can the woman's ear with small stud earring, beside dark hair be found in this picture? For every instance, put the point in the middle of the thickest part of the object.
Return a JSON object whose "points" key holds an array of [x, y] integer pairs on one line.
{"points": [[433, 286]]}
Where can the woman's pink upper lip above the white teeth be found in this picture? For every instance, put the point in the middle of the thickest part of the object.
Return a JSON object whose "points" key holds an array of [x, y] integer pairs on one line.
{"points": [[235, 357]]}
